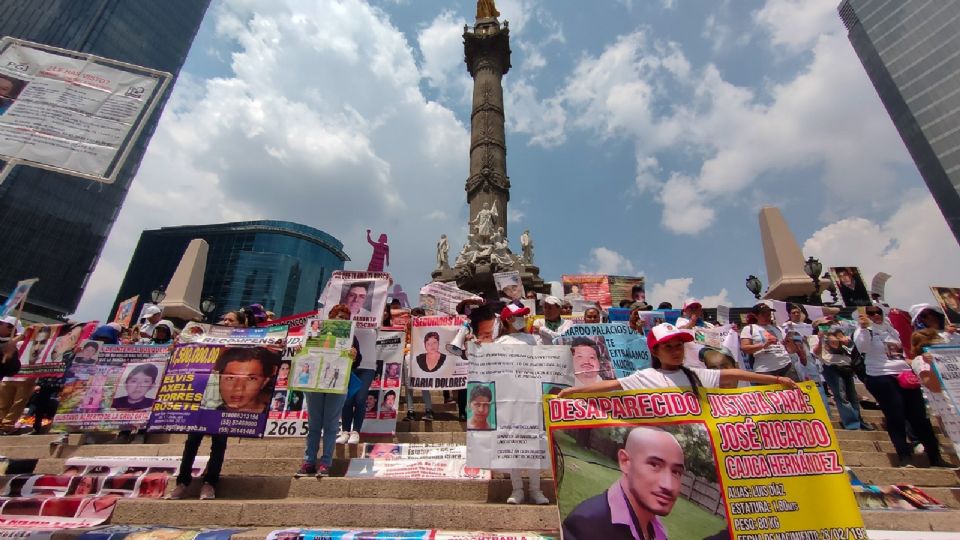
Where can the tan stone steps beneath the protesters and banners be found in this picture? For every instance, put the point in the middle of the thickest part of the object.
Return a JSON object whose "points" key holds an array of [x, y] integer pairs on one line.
{"points": [[258, 490]]}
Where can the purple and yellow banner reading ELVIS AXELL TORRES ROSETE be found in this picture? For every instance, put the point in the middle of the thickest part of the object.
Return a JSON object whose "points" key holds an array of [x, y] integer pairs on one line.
{"points": [[220, 380]]}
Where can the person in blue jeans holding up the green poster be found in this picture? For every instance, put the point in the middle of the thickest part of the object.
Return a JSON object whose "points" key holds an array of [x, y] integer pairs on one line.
{"points": [[324, 412]]}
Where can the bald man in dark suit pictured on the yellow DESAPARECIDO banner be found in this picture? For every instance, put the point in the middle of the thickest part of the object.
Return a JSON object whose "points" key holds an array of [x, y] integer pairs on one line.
{"points": [[651, 465]]}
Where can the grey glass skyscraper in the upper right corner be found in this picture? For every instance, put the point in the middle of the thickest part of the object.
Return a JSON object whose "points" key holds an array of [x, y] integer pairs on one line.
{"points": [[911, 52]]}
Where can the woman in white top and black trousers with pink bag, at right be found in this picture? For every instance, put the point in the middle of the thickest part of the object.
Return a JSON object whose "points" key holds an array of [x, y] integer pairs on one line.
{"points": [[900, 399]]}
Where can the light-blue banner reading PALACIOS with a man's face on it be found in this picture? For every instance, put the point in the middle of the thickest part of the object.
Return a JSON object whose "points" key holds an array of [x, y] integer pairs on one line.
{"points": [[617, 351]]}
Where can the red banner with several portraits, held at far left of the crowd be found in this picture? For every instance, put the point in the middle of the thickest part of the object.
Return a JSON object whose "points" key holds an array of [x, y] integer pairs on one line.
{"points": [[43, 348]]}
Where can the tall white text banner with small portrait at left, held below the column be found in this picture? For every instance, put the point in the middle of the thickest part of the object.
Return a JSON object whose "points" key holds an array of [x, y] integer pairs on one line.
{"points": [[504, 415]]}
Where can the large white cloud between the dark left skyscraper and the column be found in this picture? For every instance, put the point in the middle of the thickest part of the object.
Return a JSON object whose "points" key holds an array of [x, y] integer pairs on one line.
{"points": [[333, 133]]}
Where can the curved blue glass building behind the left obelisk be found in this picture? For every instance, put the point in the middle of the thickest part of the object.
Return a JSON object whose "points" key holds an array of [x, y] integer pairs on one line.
{"points": [[279, 264]]}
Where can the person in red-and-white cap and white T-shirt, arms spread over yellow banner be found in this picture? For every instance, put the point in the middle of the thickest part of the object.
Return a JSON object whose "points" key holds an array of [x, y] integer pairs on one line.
{"points": [[666, 345]]}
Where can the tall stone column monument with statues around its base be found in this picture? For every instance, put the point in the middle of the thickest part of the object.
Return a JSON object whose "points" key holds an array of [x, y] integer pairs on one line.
{"points": [[487, 249]]}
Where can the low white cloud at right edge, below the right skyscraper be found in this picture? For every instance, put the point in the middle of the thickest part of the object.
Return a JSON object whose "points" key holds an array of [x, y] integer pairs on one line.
{"points": [[914, 245]]}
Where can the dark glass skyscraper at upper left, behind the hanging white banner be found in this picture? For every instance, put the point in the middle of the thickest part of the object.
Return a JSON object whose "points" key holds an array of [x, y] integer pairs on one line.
{"points": [[54, 225]]}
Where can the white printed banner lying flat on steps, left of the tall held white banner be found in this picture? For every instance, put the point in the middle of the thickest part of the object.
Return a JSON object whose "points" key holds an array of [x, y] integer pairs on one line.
{"points": [[414, 462]]}
